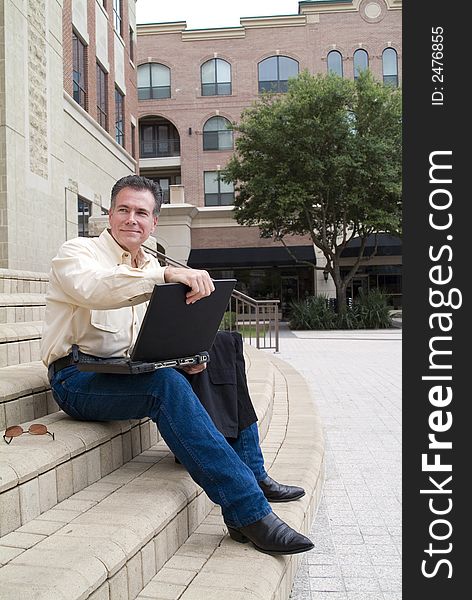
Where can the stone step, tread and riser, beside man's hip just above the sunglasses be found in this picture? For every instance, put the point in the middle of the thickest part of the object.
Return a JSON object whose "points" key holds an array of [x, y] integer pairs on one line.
{"points": [[25, 394]]}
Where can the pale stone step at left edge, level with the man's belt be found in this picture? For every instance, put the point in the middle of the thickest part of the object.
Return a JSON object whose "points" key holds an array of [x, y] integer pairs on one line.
{"points": [[20, 342]]}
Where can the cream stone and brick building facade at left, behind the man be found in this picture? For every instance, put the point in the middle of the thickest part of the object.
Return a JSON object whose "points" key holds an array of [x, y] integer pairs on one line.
{"points": [[68, 120]]}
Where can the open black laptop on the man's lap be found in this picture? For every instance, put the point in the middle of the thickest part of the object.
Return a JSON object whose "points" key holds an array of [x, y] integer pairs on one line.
{"points": [[173, 333]]}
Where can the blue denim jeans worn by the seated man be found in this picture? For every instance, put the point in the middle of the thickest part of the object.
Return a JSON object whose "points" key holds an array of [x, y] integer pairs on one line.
{"points": [[167, 398]]}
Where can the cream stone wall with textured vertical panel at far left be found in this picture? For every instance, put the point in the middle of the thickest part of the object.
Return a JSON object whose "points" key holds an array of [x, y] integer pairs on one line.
{"points": [[31, 205]]}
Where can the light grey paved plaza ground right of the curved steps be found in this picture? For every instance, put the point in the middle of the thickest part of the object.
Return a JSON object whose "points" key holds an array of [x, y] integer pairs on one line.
{"points": [[355, 377]]}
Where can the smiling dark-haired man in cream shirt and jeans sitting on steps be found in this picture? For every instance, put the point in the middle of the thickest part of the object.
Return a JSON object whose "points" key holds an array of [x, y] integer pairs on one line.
{"points": [[97, 290]]}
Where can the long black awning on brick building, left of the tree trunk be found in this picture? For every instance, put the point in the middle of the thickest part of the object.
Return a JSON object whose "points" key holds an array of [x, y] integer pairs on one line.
{"points": [[228, 258]]}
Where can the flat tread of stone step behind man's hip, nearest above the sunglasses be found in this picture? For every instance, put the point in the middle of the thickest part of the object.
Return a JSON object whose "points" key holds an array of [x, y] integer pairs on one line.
{"points": [[20, 380]]}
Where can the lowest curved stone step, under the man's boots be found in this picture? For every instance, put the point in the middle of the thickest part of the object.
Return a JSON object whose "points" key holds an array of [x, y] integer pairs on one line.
{"points": [[211, 566]]}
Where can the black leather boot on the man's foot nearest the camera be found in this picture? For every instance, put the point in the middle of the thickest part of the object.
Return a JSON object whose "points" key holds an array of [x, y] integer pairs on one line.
{"points": [[271, 535]]}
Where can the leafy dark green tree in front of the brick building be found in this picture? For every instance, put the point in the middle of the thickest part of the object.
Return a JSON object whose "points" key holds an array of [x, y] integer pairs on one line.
{"points": [[324, 160]]}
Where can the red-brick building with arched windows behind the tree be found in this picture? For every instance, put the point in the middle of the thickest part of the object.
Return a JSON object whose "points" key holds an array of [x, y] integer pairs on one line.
{"points": [[192, 82]]}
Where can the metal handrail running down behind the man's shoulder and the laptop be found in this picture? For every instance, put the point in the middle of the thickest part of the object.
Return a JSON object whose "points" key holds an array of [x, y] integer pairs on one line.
{"points": [[256, 320]]}
